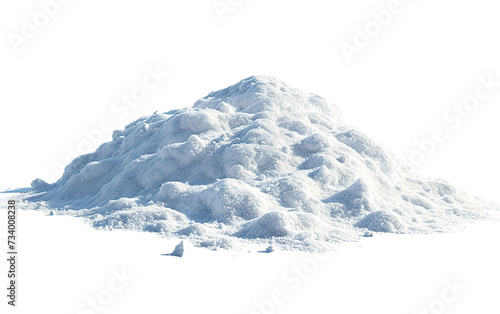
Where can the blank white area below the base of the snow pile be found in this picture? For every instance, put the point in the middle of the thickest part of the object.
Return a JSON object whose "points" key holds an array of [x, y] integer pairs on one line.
{"points": [[390, 274]]}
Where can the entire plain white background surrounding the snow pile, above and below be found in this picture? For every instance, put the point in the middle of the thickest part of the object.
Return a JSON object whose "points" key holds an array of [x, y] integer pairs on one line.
{"points": [[427, 58]]}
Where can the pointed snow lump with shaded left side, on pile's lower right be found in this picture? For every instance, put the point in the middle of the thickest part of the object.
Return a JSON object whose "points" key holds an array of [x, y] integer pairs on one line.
{"points": [[353, 201]]}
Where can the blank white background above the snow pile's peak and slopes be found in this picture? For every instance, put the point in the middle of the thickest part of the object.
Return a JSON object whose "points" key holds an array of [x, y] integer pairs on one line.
{"points": [[429, 57]]}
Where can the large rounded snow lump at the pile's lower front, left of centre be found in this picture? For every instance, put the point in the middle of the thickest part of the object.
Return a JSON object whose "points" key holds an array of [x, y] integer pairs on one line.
{"points": [[229, 199]]}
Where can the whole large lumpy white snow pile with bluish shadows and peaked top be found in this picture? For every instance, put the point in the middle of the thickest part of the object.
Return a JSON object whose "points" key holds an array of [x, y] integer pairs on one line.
{"points": [[256, 162]]}
